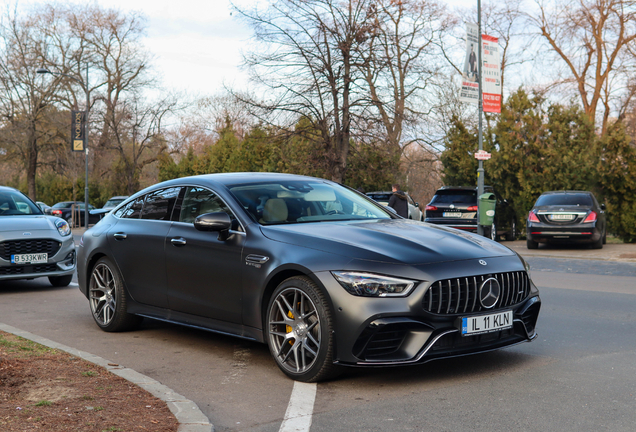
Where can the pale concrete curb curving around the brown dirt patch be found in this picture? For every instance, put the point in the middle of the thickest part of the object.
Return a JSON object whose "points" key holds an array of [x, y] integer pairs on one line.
{"points": [[188, 414]]}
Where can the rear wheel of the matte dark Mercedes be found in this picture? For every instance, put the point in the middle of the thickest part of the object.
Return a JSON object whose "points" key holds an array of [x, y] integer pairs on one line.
{"points": [[108, 299]]}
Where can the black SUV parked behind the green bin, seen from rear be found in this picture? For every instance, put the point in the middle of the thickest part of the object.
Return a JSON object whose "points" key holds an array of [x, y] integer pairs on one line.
{"points": [[456, 207]]}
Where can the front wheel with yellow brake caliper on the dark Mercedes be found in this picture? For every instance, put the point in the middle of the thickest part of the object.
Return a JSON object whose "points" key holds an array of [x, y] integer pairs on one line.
{"points": [[299, 331]]}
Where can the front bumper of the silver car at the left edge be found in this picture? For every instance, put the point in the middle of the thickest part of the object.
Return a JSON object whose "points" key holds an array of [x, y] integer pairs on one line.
{"points": [[63, 262]]}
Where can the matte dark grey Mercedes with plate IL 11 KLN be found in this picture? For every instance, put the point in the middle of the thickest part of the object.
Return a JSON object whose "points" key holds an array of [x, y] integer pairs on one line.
{"points": [[320, 273]]}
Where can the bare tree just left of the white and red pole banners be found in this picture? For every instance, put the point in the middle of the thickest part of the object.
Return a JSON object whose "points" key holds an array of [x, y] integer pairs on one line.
{"points": [[399, 64]]}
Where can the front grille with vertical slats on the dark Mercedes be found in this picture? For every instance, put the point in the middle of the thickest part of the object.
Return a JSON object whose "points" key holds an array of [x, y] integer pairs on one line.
{"points": [[460, 295]]}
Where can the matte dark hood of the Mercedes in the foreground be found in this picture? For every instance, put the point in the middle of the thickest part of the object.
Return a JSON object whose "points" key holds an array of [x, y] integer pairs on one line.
{"points": [[397, 241]]}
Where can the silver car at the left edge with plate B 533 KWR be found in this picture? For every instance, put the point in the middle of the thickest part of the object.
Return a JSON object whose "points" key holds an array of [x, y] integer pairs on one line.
{"points": [[33, 244]]}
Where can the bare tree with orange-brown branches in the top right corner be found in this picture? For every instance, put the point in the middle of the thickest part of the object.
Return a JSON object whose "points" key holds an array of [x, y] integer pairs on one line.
{"points": [[593, 38]]}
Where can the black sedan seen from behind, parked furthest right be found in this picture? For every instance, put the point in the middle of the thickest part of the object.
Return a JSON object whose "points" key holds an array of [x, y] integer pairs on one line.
{"points": [[567, 217]]}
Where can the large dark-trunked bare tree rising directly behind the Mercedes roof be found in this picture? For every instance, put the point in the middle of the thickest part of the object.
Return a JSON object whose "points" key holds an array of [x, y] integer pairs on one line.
{"points": [[305, 59]]}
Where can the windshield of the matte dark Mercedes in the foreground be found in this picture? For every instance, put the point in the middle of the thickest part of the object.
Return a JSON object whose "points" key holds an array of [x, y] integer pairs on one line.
{"points": [[304, 201]]}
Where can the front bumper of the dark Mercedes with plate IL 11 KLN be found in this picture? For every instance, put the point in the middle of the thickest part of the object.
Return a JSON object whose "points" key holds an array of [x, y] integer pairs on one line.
{"points": [[373, 332]]}
